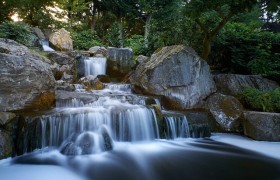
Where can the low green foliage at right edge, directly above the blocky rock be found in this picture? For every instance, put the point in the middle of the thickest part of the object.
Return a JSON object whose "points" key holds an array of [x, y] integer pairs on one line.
{"points": [[261, 101]]}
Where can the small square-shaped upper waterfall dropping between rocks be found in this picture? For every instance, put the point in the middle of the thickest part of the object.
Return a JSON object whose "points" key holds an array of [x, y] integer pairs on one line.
{"points": [[95, 66]]}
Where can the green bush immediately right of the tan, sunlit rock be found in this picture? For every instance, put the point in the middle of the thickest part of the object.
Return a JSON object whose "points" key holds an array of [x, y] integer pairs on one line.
{"points": [[85, 39]]}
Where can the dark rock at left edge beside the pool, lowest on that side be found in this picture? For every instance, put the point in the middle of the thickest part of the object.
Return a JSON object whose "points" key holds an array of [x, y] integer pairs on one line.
{"points": [[6, 145]]}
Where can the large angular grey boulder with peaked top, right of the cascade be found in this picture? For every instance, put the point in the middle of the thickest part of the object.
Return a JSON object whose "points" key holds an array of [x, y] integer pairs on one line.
{"points": [[177, 73]]}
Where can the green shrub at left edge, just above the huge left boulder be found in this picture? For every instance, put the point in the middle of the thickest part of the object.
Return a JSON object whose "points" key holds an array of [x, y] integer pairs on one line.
{"points": [[19, 32]]}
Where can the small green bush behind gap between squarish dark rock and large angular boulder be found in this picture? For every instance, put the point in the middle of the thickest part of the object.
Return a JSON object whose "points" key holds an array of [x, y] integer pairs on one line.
{"points": [[136, 42]]}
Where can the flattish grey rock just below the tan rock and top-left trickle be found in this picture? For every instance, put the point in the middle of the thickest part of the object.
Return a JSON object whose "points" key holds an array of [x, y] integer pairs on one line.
{"points": [[60, 58]]}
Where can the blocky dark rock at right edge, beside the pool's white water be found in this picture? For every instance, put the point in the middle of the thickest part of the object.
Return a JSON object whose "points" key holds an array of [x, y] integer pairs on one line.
{"points": [[262, 126]]}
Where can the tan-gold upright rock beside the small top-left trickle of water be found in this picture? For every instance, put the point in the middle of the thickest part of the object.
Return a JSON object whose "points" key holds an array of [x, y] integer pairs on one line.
{"points": [[61, 40]]}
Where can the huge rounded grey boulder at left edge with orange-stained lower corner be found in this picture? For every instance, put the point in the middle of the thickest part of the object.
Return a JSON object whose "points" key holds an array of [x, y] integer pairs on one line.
{"points": [[26, 81]]}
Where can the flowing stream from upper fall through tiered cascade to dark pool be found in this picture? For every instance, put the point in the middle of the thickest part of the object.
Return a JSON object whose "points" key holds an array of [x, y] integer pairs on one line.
{"points": [[115, 134]]}
